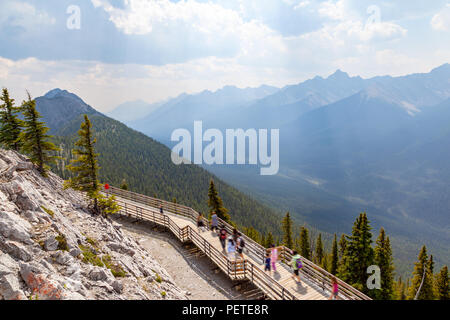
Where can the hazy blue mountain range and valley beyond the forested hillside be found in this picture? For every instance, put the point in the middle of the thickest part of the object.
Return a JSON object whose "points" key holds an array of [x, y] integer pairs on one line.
{"points": [[347, 144]]}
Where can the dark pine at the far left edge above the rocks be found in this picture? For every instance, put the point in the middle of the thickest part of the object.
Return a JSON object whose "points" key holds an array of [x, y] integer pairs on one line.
{"points": [[10, 124]]}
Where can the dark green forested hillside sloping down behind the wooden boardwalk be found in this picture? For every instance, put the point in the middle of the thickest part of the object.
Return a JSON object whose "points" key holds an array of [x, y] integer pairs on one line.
{"points": [[147, 168]]}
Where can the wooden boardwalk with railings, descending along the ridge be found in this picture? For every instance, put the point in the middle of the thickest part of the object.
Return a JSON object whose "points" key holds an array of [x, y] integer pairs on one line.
{"points": [[181, 221]]}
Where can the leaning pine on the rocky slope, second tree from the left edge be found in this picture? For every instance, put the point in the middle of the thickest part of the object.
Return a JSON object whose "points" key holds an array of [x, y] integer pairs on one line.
{"points": [[34, 138]]}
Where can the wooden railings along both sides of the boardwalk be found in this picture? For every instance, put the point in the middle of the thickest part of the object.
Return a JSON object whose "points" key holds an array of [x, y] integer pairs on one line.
{"points": [[234, 269]]}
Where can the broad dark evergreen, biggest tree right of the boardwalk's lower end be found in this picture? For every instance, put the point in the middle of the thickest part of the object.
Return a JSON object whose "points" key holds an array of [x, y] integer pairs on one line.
{"points": [[358, 255]]}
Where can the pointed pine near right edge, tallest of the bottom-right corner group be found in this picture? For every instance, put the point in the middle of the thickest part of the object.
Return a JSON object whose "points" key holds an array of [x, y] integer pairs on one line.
{"points": [[422, 271]]}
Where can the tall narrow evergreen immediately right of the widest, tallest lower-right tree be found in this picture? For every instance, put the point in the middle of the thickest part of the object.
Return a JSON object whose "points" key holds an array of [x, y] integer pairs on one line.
{"points": [[384, 260]]}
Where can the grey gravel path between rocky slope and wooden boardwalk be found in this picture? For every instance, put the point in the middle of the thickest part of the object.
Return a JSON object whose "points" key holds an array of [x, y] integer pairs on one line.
{"points": [[192, 272]]}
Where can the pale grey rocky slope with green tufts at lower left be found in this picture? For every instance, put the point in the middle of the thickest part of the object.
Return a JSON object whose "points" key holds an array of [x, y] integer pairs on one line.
{"points": [[52, 248]]}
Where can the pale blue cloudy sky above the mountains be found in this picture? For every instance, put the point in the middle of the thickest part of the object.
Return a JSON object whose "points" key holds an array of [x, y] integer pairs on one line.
{"points": [[112, 51]]}
